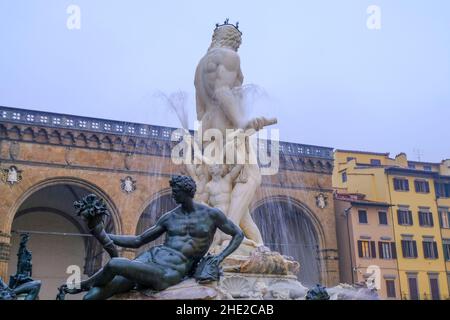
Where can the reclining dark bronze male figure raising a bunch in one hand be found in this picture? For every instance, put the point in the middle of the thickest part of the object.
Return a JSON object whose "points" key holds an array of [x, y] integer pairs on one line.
{"points": [[189, 229]]}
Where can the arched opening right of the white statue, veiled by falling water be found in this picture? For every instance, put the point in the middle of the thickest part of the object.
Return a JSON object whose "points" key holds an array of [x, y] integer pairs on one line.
{"points": [[286, 227]]}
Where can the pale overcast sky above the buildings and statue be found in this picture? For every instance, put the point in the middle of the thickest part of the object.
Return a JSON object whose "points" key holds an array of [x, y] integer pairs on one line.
{"points": [[331, 80]]}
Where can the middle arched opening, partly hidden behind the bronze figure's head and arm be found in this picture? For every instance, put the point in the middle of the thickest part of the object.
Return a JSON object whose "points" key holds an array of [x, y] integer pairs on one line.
{"points": [[151, 214]]}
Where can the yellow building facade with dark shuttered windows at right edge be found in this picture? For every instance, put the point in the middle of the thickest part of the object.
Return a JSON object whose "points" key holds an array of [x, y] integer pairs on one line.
{"points": [[419, 198]]}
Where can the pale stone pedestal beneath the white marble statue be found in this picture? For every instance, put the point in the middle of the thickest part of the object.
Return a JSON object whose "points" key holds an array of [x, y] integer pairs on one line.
{"points": [[261, 275]]}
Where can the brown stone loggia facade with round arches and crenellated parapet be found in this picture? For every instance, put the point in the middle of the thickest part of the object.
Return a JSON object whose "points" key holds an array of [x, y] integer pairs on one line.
{"points": [[48, 160]]}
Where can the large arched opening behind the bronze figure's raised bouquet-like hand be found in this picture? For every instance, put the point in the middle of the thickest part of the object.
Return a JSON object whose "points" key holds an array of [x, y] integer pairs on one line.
{"points": [[58, 237]]}
